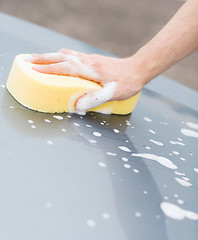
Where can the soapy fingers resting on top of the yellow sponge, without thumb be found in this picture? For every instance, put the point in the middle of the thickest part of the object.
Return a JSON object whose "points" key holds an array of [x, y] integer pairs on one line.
{"points": [[65, 62]]}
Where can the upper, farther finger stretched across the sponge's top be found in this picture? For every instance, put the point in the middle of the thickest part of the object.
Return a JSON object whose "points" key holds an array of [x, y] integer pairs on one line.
{"points": [[46, 58]]}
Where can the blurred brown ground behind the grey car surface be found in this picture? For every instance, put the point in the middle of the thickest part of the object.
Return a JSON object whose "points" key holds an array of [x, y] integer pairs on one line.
{"points": [[117, 26]]}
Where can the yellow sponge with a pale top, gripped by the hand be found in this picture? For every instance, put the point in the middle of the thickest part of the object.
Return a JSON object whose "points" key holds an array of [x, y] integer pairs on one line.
{"points": [[54, 93]]}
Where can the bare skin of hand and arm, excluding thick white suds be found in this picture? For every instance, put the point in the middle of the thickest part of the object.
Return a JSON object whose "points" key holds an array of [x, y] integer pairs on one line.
{"points": [[177, 39]]}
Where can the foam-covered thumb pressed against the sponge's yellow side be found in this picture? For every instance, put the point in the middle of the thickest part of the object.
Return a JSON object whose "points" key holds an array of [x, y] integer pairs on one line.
{"points": [[96, 98]]}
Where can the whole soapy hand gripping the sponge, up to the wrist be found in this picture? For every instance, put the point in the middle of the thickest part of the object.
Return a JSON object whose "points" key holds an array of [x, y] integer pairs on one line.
{"points": [[119, 77]]}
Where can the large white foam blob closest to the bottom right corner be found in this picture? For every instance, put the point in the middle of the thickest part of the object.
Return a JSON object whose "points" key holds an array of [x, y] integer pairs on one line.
{"points": [[175, 212]]}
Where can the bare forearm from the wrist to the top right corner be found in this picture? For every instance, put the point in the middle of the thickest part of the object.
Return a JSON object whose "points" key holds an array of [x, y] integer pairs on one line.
{"points": [[176, 40]]}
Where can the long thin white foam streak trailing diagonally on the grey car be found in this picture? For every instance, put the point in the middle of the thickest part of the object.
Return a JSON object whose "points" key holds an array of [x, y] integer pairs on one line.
{"points": [[162, 160]]}
